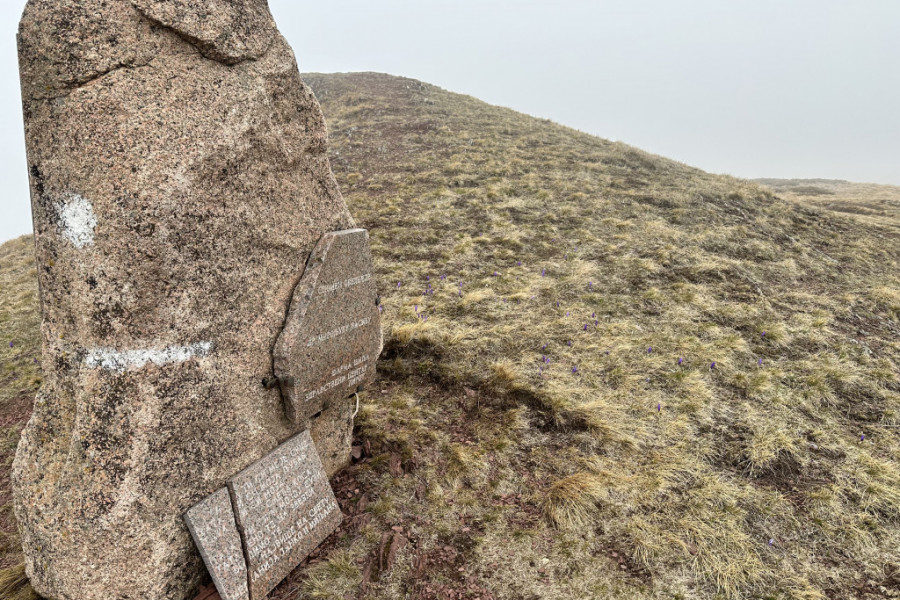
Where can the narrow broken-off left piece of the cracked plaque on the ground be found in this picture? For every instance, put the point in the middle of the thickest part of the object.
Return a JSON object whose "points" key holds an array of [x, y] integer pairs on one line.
{"points": [[211, 523]]}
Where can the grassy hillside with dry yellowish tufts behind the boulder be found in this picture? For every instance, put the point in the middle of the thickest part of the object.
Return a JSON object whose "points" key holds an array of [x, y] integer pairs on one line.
{"points": [[606, 374]]}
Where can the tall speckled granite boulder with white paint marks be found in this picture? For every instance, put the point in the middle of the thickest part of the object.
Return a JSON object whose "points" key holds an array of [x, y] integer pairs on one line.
{"points": [[179, 181]]}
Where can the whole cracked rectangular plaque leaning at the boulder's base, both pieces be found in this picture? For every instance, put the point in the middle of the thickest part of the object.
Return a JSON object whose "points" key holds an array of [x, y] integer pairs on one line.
{"points": [[268, 519]]}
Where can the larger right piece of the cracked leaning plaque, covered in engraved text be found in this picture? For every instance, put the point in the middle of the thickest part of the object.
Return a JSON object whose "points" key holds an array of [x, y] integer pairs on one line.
{"points": [[284, 508]]}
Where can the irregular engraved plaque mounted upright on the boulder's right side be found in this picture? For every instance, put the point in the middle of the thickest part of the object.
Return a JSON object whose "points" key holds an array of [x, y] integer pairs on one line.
{"points": [[332, 335]]}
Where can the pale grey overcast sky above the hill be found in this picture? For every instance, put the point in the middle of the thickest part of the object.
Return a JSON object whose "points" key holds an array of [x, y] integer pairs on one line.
{"points": [[754, 88]]}
